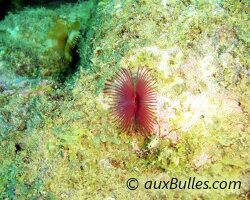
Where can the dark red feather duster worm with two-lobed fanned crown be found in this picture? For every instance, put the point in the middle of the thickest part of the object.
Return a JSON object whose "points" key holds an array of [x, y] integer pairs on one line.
{"points": [[134, 101]]}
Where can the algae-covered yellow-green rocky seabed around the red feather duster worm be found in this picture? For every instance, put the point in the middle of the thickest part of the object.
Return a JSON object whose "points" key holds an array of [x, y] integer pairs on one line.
{"points": [[56, 137]]}
